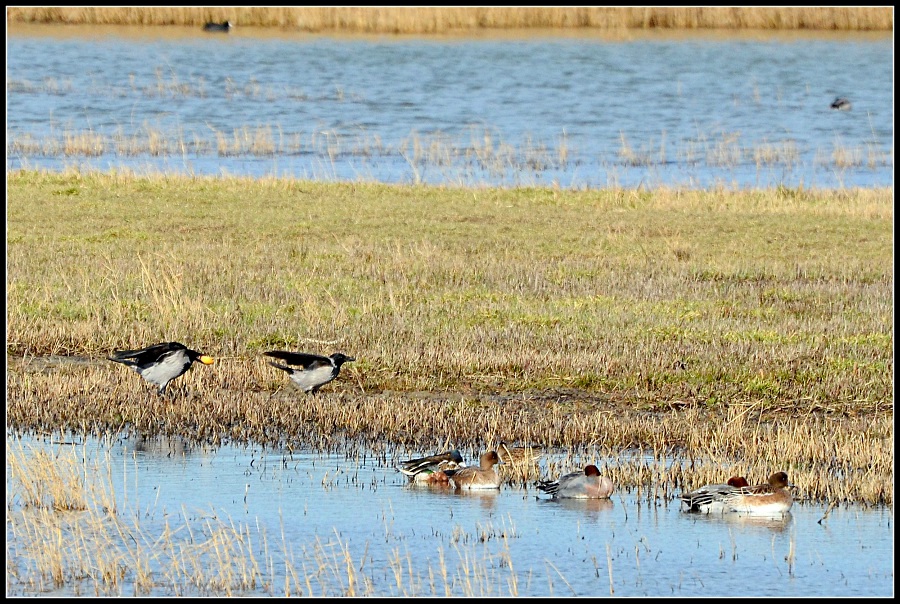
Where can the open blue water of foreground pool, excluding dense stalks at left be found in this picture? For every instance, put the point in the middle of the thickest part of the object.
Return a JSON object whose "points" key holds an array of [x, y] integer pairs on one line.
{"points": [[317, 511]]}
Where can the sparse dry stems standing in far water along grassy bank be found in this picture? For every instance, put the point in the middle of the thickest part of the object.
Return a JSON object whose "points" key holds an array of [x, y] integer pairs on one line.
{"points": [[480, 149]]}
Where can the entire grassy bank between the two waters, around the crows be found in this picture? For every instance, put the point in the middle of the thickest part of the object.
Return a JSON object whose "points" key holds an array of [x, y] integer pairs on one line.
{"points": [[599, 320]]}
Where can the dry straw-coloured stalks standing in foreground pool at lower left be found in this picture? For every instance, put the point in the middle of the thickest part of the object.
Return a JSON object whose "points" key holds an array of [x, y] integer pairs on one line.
{"points": [[104, 551]]}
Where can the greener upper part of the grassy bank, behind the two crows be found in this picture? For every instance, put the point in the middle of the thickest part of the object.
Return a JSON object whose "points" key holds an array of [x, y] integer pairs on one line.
{"points": [[538, 287]]}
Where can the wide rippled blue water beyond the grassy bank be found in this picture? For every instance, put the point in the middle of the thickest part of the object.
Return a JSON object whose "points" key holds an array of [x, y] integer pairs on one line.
{"points": [[571, 110]]}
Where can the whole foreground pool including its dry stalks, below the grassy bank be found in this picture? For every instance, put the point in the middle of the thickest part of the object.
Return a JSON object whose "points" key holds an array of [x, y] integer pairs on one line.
{"points": [[154, 517]]}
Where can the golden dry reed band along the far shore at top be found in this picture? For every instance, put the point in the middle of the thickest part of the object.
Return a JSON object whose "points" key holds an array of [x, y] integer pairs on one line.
{"points": [[419, 20]]}
